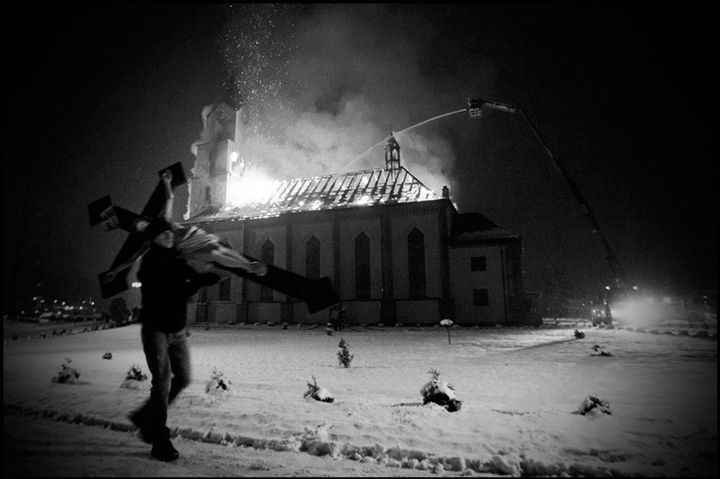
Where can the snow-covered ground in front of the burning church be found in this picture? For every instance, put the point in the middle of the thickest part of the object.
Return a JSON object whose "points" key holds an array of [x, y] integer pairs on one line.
{"points": [[518, 389]]}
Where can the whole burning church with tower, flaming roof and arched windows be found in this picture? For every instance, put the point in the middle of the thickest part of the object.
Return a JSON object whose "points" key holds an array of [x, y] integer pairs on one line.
{"points": [[395, 251]]}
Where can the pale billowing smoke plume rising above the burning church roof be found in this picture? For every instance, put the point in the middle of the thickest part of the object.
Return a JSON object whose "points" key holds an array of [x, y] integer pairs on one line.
{"points": [[320, 84]]}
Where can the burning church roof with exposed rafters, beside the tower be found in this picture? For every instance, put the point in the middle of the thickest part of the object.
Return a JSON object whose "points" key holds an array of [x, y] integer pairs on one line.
{"points": [[360, 188]]}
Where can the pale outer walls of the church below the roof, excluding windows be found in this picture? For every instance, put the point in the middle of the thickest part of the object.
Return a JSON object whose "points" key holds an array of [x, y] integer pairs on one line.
{"points": [[344, 226]]}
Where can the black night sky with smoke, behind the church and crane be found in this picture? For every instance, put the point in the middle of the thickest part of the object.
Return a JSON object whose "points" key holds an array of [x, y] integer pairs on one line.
{"points": [[101, 97]]}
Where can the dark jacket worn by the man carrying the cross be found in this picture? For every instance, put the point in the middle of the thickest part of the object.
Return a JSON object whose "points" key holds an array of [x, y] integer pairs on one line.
{"points": [[167, 284]]}
